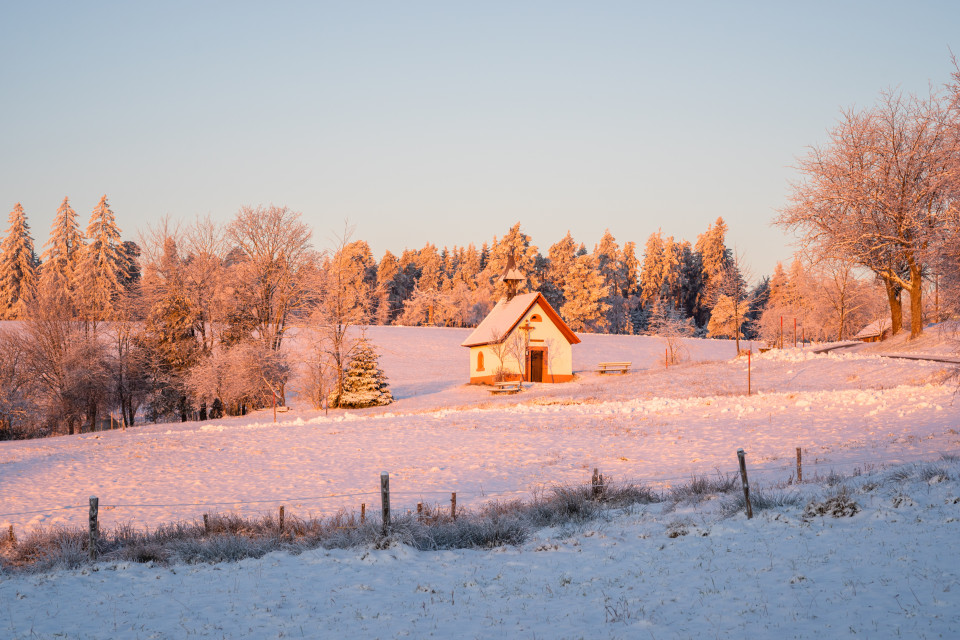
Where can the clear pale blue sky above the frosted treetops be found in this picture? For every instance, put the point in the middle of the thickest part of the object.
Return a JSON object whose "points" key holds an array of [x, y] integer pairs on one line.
{"points": [[446, 122]]}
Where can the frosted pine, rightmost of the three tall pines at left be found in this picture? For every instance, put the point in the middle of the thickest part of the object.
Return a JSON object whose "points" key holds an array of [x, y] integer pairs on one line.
{"points": [[101, 267]]}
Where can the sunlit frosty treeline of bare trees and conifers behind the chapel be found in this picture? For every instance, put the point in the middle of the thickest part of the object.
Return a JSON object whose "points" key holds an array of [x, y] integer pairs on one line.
{"points": [[191, 321]]}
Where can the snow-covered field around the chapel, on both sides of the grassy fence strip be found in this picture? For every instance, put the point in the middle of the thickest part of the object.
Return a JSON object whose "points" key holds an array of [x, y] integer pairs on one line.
{"points": [[889, 570]]}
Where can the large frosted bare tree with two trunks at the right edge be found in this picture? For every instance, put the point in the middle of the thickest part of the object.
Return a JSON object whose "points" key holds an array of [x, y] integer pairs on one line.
{"points": [[882, 192]]}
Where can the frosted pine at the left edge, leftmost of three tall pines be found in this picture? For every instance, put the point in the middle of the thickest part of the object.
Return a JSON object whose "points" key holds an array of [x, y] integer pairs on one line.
{"points": [[18, 267]]}
